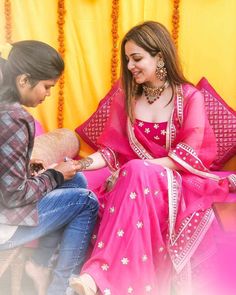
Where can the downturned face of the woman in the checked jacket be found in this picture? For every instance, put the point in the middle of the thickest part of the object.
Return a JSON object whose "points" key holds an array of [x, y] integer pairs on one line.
{"points": [[32, 96]]}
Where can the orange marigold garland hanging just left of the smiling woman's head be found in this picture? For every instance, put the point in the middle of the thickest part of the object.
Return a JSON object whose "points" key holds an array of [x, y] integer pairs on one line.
{"points": [[115, 37]]}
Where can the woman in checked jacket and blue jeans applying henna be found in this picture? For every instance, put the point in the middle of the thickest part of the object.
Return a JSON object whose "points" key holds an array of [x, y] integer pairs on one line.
{"points": [[39, 204]]}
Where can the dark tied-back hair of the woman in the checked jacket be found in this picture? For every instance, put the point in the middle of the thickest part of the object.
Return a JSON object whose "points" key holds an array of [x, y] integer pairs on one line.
{"points": [[36, 59]]}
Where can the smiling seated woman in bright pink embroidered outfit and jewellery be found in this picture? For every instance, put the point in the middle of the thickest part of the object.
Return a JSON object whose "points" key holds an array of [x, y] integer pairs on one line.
{"points": [[156, 216]]}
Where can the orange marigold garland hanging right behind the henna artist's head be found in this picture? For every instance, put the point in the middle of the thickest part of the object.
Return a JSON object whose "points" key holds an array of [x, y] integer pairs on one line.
{"points": [[61, 12]]}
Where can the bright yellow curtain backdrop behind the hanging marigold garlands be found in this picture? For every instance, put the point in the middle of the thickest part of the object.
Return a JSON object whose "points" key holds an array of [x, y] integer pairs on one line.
{"points": [[207, 46]]}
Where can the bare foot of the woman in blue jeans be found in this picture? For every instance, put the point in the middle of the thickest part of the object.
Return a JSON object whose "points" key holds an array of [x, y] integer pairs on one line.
{"points": [[40, 276]]}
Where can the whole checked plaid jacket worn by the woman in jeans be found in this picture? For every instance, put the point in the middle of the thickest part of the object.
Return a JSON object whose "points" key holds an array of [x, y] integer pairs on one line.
{"points": [[19, 192]]}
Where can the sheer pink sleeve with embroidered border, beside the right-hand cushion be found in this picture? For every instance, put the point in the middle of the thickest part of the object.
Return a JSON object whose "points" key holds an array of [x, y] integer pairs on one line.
{"points": [[194, 144]]}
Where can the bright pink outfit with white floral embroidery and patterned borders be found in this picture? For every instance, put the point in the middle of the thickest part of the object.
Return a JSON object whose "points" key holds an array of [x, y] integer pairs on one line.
{"points": [[156, 223]]}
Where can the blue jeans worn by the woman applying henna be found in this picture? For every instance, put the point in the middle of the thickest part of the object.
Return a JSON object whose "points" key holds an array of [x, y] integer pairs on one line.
{"points": [[67, 216]]}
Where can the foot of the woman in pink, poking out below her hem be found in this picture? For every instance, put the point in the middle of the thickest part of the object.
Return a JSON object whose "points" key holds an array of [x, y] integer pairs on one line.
{"points": [[83, 285]]}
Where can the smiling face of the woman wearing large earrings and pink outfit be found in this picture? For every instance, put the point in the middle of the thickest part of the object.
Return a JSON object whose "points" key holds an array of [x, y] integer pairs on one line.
{"points": [[140, 63]]}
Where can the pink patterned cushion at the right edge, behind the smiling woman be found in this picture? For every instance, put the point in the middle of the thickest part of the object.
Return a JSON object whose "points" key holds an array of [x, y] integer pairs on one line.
{"points": [[223, 120]]}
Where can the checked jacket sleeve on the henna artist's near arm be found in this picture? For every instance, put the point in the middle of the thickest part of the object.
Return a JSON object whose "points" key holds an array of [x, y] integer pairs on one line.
{"points": [[17, 188]]}
